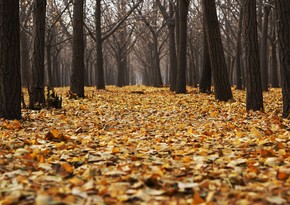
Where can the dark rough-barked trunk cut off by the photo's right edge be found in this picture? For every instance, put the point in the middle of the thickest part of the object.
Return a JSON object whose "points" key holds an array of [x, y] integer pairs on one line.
{"points": [[283, 16]]}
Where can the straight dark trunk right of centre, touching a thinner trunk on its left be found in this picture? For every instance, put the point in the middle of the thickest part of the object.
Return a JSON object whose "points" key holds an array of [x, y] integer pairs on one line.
{"points": [[181, 68]]}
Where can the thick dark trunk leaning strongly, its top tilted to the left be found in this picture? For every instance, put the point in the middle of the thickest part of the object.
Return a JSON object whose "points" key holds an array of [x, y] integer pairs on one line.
{"points": [[222, 85]]}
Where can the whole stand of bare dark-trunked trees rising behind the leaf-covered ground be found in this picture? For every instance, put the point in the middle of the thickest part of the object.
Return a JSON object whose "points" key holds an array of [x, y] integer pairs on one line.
{"points": [[86, 42]]}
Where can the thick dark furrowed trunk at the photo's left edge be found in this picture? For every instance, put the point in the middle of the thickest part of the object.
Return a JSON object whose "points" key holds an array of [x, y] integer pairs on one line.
{"points": [[10, 78]]}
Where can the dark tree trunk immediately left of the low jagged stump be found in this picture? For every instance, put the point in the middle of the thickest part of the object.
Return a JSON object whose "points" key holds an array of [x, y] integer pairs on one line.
{"points": [[37, 98]]}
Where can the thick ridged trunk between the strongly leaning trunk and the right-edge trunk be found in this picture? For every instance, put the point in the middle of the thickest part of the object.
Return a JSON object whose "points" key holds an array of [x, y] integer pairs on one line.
{"points": [[254, 93]]}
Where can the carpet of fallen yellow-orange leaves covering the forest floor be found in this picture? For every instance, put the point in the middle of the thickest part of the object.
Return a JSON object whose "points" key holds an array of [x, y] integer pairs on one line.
{"points": [[140, 145]]}
